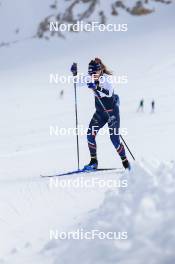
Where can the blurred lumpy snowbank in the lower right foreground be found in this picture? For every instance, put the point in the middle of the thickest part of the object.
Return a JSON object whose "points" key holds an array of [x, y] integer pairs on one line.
{"points": [[145, 209]]}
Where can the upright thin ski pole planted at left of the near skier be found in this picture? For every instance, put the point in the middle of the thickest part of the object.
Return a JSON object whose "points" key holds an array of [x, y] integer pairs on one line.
{"points": [[76, 119]]}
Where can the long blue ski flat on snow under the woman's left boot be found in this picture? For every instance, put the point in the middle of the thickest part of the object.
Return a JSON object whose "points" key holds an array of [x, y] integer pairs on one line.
{"points": [[81, 171]]}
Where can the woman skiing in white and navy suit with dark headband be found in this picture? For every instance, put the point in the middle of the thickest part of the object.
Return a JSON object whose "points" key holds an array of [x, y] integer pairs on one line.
{"points": [[107, 111]]}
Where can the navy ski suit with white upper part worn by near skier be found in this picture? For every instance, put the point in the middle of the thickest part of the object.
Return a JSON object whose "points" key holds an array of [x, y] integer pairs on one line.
{"points": [[107, 111]]}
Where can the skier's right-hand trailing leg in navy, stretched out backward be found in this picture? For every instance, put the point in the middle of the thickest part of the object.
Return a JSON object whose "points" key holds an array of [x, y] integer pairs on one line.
{"points": [[114, 126]]}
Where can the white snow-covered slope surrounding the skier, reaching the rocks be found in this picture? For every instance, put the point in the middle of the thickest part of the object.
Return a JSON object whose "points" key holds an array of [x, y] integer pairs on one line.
{"points": [[29, 206]]}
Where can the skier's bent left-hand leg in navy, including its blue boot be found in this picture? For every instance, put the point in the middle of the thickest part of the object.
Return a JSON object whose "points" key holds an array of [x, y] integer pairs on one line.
{"points": [[96, 123]]}
